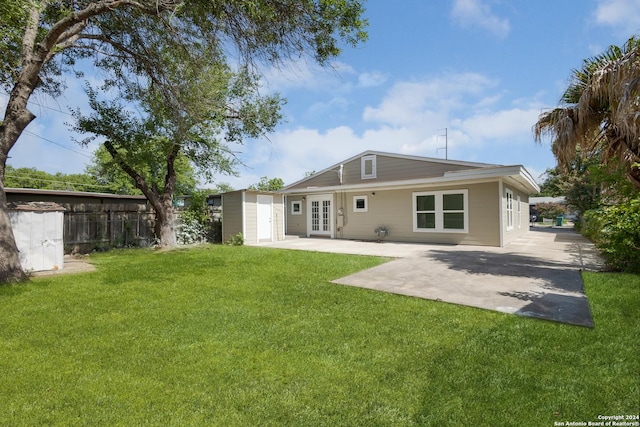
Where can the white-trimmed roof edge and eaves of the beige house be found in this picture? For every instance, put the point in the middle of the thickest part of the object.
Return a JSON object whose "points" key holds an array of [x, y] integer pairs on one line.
{"points": [[470, 172]]}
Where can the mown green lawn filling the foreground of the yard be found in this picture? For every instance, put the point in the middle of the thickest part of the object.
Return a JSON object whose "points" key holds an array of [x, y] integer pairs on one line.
{"points": [[243, 336]]}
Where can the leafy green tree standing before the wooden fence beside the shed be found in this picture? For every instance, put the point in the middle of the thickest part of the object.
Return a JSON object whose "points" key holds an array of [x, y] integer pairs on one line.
{"points": [[206, 108]]}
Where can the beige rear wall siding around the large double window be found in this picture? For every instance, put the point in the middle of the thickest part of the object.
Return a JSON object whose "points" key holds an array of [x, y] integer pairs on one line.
{"points": [[394, 210]]}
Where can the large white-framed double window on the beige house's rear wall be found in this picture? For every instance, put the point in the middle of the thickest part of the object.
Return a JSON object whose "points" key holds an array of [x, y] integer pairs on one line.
{"points": [[441, 211]]}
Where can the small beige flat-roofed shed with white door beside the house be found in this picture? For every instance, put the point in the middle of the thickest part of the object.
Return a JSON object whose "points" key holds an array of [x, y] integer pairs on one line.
{"points": [[258, 215]]}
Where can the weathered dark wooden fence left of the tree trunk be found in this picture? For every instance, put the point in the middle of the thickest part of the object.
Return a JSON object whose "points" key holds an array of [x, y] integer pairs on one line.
{"points": [[101, 228]]}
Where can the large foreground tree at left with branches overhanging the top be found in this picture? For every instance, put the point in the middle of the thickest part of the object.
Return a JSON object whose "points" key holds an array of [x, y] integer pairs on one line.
{"points": [[41, 40]]}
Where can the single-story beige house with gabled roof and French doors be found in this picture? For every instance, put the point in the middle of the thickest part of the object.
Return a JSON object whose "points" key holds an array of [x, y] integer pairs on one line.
{"points": [[377, 195]]}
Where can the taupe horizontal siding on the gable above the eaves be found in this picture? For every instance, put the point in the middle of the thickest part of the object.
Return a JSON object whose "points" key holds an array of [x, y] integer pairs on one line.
{"points": [[388, 169]]}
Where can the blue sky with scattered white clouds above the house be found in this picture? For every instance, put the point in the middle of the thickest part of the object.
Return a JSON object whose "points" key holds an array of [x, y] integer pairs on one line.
{"points": [[482, 69]]}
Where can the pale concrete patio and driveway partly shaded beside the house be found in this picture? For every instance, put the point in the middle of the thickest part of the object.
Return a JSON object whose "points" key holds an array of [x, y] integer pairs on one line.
{"points": [[537, 276]]}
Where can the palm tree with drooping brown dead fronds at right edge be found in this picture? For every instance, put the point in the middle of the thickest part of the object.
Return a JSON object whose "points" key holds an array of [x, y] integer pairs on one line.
{"points": [[599, 111]]}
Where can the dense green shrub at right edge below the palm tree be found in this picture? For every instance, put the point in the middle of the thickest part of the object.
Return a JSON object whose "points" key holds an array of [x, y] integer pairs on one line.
{"points": [[615, 230]]}
